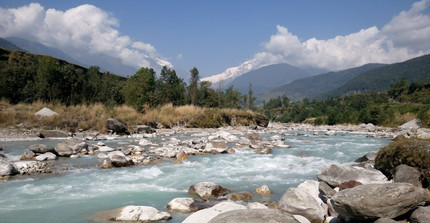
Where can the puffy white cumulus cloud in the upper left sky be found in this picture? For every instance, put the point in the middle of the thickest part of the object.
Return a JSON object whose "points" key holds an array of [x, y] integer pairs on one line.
{"points": [[78, 31]]}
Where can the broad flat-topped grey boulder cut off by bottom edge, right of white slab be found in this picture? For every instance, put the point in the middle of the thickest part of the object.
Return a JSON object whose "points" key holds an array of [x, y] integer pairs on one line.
{"points": [[254, 216]]}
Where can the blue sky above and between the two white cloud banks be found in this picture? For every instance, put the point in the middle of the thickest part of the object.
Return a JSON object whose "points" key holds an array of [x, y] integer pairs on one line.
{"points": [[216, 35]]}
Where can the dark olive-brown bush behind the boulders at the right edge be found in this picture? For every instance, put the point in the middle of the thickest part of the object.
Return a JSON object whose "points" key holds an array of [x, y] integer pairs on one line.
{"points": [[412, 152]]}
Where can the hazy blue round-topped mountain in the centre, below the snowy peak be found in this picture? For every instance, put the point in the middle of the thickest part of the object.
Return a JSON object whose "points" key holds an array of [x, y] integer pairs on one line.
{"points": [[268, 77]]}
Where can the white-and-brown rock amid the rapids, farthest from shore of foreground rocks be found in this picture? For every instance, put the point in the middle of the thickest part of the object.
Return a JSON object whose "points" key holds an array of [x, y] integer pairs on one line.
{"points": [[208, 190]]}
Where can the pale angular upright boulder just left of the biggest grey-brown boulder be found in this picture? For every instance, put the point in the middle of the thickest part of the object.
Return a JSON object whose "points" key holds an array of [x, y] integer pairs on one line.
{"points": [[304, 201]]}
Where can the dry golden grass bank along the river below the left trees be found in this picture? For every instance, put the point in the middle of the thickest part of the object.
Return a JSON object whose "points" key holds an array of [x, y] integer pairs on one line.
{"points": [[94, 116]]}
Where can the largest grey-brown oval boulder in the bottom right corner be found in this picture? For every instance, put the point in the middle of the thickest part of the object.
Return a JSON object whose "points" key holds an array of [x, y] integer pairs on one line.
{"points": [[373, 201]]}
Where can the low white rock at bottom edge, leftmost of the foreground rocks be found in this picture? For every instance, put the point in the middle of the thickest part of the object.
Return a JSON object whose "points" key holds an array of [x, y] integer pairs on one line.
{"points": [[142, 214]]}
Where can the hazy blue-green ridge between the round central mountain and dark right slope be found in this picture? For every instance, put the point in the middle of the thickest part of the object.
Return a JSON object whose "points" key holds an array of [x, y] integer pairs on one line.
{"points": [[311, 87]]}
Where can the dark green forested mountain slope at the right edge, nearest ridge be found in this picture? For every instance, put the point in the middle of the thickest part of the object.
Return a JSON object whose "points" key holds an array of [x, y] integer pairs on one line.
{"points": [[380, 79]]}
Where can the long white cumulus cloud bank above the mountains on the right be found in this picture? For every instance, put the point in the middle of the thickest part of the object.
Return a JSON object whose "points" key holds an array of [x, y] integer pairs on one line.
{"points": [[404, 37]]}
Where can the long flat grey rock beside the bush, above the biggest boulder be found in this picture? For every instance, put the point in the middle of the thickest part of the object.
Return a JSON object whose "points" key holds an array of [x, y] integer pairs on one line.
{"points": [[334, 175]]}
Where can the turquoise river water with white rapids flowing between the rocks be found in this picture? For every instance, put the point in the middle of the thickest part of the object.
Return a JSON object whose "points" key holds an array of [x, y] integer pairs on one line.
{"points": [[84, 190]]}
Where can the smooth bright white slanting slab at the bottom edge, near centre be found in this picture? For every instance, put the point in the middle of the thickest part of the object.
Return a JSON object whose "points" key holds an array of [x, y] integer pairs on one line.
{"points": [[205, 215]]}
